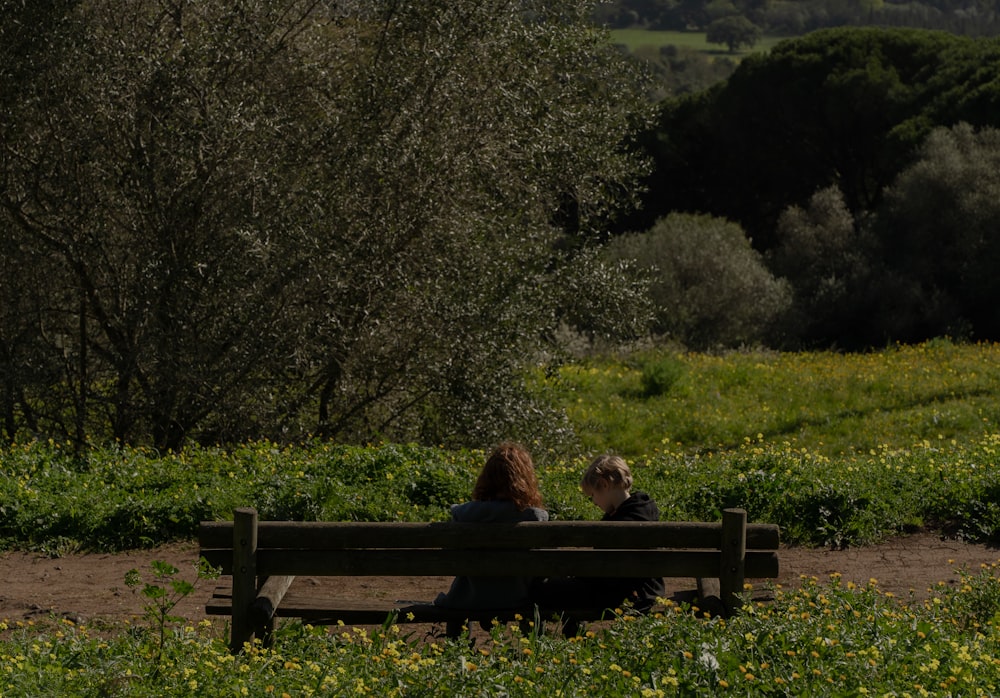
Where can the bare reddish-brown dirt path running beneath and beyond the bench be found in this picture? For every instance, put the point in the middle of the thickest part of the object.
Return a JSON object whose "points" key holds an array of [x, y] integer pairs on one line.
{"points": [[91, 587]]}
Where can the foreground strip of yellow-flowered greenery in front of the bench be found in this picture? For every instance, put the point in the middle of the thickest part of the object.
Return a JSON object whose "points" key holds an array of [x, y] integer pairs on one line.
{"points": [[827, 637]]}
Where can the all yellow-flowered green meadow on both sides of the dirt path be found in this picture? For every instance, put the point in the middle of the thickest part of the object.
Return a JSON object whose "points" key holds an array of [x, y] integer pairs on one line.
{"points": [[837, 450]]}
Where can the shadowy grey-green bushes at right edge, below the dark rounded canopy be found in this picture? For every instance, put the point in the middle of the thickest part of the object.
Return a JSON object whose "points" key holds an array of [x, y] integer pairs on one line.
{"points": [[921, 265]]}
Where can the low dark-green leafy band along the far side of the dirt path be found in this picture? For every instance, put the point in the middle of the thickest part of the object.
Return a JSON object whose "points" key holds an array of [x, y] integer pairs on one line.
{"points": [[849, 500]]}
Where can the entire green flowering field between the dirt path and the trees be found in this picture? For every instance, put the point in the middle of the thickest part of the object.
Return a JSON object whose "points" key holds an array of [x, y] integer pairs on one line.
{"points": [[836, 449]]}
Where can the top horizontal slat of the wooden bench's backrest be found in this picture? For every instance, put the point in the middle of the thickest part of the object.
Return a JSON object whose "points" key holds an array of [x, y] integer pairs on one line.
{"points": [[324, 535]]}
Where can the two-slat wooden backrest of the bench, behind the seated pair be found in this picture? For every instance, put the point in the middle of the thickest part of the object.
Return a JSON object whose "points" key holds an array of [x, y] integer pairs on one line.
{"points": [[582, 548]]}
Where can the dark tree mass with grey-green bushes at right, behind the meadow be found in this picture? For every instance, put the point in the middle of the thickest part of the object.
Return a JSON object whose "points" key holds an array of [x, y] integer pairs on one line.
{"points": [[840, 191]]}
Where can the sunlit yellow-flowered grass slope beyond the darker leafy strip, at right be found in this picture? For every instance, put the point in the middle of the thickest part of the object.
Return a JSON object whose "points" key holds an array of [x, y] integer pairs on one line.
{"points": [[826, 403]]}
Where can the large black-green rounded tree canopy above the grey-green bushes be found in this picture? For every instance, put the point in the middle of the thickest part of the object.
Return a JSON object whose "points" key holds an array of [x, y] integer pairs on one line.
{"points": [[845, 105]]}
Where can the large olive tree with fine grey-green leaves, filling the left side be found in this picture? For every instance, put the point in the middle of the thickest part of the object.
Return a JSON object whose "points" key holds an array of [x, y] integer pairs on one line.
{"points": [[288, 217]]}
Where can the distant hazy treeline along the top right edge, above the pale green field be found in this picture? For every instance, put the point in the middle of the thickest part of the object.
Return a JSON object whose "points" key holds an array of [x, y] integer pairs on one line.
{"points": [[795, 17]]}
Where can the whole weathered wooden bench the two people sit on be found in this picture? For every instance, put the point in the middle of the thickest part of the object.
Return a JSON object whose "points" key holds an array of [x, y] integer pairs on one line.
{"points": [[263, 558]]}
